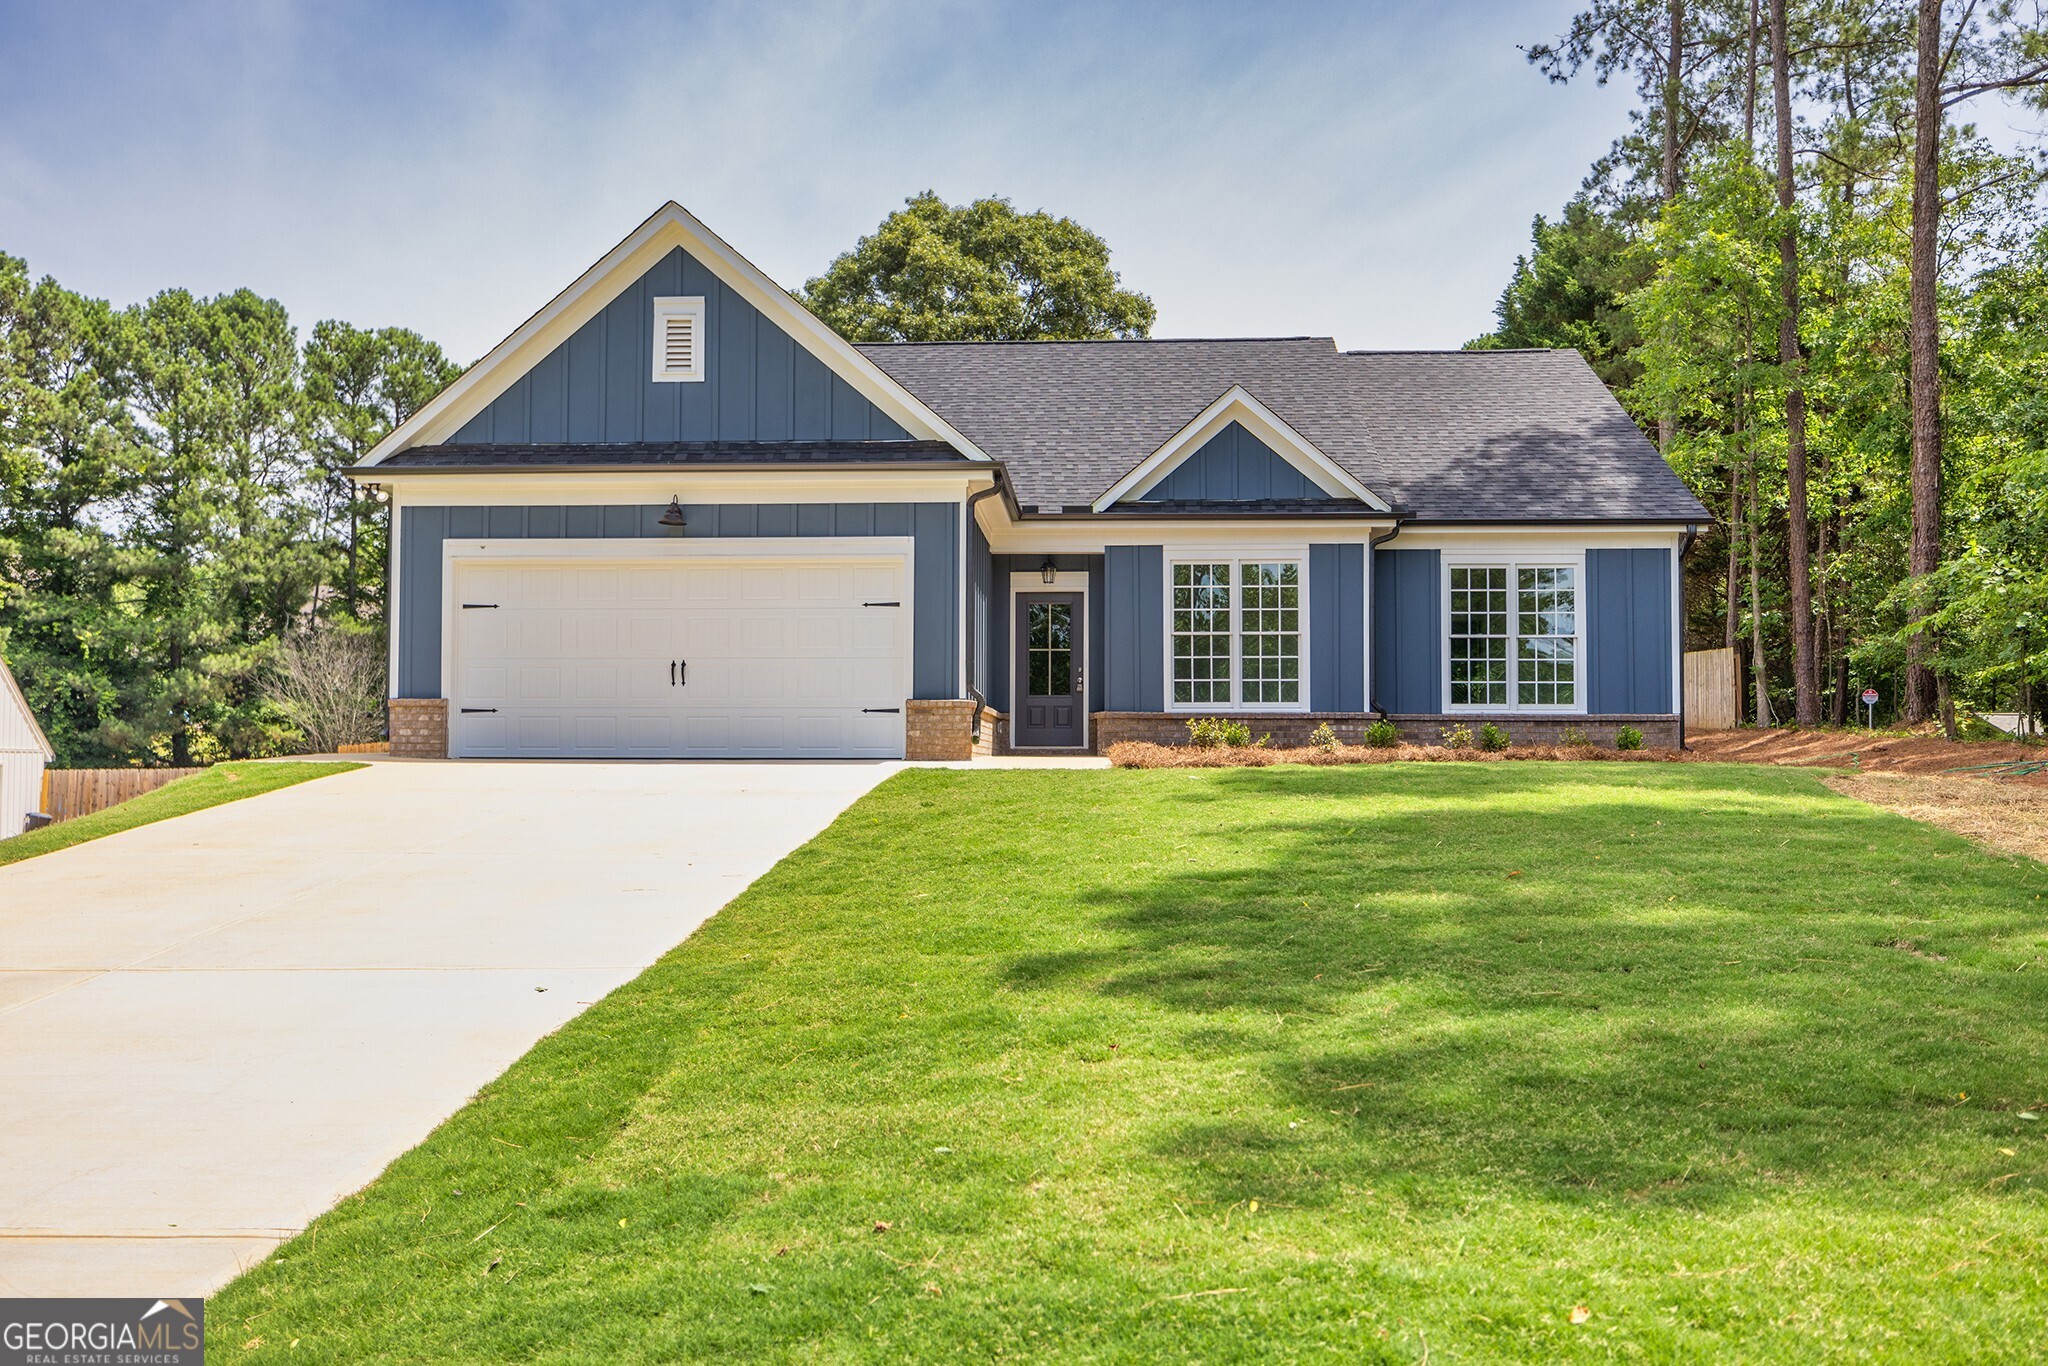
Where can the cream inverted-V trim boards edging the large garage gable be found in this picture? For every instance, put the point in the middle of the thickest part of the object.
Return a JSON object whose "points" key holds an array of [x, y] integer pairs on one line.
{"points": [[669, 228]]}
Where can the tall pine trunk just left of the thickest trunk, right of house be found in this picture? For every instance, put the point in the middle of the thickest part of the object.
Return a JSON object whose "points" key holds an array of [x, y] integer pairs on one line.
{"points": [[1805, 679]]}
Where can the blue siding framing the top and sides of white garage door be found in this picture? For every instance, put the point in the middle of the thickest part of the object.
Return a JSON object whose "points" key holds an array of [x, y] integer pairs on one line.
{"points": [[935, 572]]}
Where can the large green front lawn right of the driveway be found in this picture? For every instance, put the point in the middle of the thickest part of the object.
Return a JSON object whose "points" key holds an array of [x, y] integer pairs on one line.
{"points": [[1345, 1064]]}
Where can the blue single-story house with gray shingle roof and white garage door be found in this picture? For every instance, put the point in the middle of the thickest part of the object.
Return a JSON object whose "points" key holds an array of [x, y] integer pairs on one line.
{"points": [[675, 515]]}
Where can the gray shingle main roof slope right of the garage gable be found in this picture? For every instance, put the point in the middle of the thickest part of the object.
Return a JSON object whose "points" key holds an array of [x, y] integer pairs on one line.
{"points": [[1461, 435]]}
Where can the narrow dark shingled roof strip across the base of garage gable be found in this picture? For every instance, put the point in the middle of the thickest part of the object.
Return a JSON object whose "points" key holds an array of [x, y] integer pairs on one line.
{"points": [[613, 456]]}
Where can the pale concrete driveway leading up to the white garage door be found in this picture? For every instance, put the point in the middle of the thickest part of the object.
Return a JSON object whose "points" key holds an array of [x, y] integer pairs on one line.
{"points": [[216, 1027]]}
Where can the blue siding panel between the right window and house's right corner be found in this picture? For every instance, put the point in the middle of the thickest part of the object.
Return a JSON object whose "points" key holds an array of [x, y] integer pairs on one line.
{"points": [[1629, 632]]}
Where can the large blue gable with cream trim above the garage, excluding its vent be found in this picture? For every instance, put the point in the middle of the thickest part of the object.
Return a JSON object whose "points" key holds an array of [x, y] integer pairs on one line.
{"points": [[583, 368]]}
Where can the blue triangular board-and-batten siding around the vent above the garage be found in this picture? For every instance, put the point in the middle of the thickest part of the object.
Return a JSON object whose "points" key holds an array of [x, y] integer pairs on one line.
{"points": [[759, 382]]}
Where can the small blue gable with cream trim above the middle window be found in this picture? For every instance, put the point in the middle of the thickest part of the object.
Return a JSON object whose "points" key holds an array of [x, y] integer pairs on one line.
{"points": [[1238, 450]]}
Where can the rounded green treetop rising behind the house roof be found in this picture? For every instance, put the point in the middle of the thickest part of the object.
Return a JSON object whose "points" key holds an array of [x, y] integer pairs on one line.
{"points": [[976, 273]]}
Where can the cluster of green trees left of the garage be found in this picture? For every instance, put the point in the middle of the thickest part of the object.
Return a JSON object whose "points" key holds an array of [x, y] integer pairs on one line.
{"points": [[169, 509]]}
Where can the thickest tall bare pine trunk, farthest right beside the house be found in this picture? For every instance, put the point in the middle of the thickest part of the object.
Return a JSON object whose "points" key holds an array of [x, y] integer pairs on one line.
{"points": [[1926, 343]]}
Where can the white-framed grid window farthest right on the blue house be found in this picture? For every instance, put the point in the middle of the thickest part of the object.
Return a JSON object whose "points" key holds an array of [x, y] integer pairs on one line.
{"points": [[1512, 638]]}
